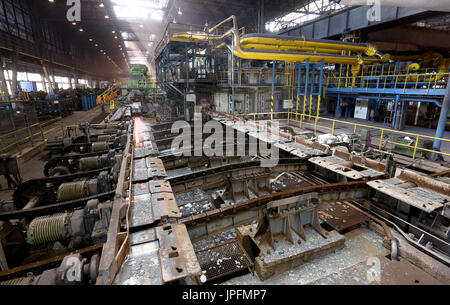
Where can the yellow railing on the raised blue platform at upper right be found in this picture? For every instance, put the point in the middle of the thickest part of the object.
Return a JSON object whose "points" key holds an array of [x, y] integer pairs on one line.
{"points": [[385, 82]]}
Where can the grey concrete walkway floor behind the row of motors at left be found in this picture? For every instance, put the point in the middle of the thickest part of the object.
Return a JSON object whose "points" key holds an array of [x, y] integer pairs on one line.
{"points": [[34, 167]]}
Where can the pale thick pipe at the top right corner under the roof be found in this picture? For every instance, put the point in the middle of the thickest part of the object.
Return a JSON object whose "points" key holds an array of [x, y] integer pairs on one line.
{"points": [[431, 5]]}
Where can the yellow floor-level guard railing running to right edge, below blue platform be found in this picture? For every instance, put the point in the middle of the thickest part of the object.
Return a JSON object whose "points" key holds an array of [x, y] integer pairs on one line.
{"points": [[331, 124]]}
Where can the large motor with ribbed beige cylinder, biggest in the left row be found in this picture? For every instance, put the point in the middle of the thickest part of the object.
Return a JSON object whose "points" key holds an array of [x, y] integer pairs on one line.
{"points": [[50, 235]]}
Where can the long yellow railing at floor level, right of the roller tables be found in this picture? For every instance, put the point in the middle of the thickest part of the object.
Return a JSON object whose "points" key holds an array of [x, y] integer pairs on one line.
{"points": [[332, 124]]}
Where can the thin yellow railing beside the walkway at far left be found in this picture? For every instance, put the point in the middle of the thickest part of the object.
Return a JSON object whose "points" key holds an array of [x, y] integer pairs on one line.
{"points": [[18, 139]]}
